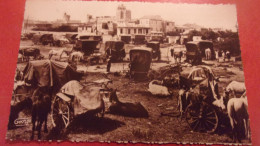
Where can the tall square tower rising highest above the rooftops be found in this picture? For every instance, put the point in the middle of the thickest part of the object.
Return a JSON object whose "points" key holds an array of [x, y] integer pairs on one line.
{"points": [[123, 15]]}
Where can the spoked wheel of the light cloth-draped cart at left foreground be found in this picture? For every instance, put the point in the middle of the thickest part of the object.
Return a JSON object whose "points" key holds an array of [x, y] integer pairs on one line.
{"points": [[61, 113]]}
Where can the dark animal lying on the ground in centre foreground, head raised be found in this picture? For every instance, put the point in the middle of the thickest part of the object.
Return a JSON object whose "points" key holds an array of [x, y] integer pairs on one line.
{"points": [[125, 108]]}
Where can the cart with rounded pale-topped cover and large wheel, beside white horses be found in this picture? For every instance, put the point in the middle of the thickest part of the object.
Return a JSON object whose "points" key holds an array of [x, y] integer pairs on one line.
{"points": [[200, 113]]}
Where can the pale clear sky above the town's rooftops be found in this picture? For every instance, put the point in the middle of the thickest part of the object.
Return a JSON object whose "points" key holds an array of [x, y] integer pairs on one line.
{"points": [[206, 15]]}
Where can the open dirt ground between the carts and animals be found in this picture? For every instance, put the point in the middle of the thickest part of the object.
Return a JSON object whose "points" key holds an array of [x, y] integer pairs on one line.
{"points": [[155, 128]]}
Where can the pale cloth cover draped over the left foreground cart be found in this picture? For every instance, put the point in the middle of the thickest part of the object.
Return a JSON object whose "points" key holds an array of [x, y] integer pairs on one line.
{"points": [[85, 97]]}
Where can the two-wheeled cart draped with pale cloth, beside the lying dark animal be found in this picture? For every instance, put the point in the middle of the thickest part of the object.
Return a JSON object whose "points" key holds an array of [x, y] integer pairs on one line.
{"points": [[76, 99]]}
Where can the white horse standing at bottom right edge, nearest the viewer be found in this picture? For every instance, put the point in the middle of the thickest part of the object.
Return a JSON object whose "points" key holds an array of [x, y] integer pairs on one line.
{"points": [[238, 116]]}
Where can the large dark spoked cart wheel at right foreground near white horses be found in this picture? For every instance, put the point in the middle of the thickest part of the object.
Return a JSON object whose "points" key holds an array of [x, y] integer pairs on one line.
{"points": [[201, 117]]}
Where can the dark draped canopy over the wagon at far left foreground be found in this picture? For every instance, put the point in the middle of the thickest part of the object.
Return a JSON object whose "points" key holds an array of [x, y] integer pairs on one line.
{"points": [[49, 73]]}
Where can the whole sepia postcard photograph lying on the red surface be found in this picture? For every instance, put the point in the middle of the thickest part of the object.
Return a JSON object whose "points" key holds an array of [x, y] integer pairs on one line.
{"points": [[129, 72]]}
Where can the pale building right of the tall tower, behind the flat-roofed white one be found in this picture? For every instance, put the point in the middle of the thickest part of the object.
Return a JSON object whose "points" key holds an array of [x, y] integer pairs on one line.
{"points": [[155, 22]]}
